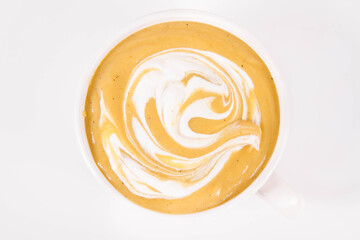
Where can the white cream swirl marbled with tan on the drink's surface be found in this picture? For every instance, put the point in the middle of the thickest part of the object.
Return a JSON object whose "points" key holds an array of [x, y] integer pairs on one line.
{"points": [[185, 112]]}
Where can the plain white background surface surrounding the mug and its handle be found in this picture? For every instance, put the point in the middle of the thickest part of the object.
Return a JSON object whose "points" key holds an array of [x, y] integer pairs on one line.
{"points": [[47, 190]]}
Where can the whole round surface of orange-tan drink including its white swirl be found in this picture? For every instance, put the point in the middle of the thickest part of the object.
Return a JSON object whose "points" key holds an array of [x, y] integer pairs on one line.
{"points": [[181, 116]]}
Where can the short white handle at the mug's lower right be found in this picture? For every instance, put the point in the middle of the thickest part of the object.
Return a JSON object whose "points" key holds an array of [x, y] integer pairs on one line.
{"points": [[279, 195]]}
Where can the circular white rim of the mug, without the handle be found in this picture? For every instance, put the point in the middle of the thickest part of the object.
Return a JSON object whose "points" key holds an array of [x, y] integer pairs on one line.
{"points": [[213, 20]]}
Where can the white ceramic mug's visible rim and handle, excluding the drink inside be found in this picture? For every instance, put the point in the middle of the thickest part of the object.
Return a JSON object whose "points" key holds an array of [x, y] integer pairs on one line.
{"points": [[268, 184]]}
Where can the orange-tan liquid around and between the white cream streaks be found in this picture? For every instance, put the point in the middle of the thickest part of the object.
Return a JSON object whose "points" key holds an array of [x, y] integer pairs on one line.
{"points": [[110, 84]]}
